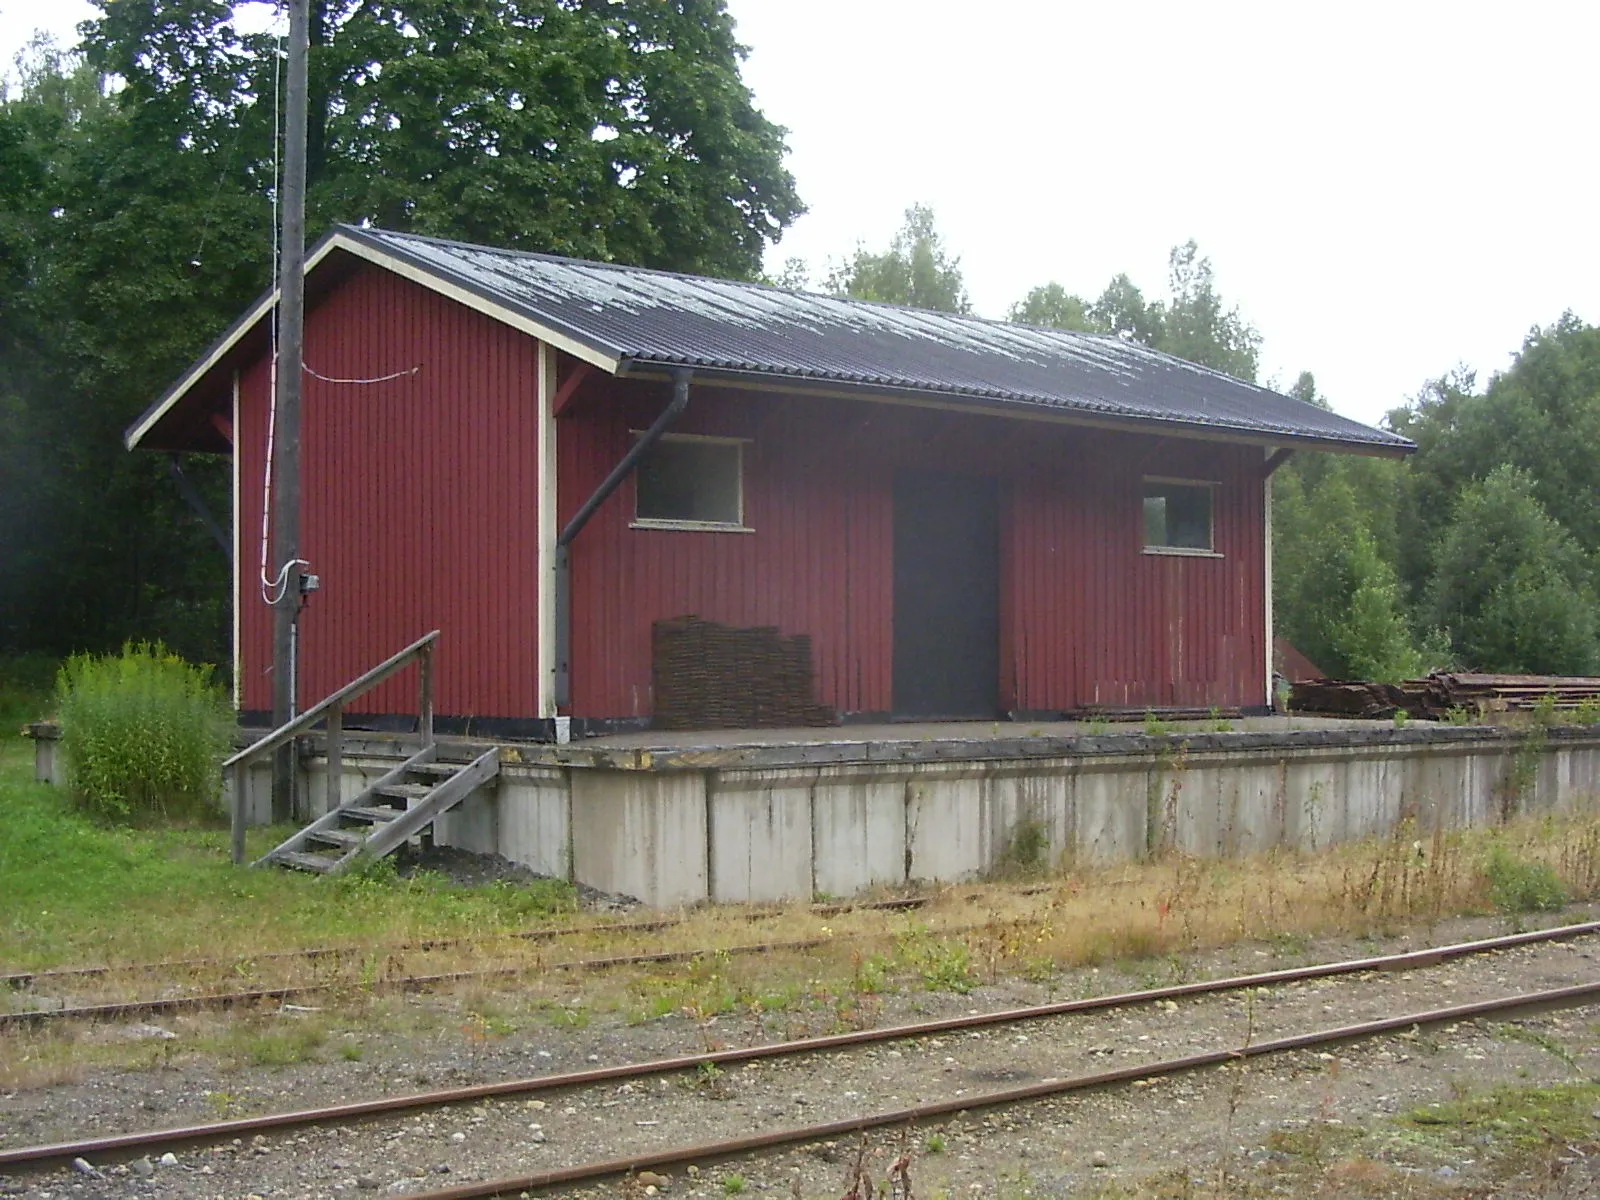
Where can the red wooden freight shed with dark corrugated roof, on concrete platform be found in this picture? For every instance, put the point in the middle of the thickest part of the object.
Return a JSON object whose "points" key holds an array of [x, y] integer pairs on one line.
{"points": [[964, 518]]}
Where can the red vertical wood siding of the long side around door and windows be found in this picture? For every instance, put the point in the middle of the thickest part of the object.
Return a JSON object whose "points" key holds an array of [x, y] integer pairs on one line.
{"points": [[1087, 617]]}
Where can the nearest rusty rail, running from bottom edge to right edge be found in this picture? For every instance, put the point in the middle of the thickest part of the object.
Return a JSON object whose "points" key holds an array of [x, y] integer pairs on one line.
{"points": [[1527, 1004]]}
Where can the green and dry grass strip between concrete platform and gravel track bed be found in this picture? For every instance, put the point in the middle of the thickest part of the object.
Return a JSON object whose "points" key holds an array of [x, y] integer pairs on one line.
{"points": [[76, 892]]}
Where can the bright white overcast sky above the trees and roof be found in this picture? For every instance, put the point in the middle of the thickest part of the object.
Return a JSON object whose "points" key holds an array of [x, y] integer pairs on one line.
{"points": [[1385, 190]]}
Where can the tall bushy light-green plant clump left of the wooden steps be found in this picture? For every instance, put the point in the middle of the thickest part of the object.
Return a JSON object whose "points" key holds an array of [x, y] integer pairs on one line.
{"points": [[143, 734]]}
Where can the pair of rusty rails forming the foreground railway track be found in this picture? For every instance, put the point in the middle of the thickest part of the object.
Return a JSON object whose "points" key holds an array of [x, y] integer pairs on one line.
{"points": [[1524, 1004]]}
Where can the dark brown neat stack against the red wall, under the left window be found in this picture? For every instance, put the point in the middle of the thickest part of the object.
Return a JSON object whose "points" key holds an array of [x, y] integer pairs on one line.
{"points": [[718, 678]]}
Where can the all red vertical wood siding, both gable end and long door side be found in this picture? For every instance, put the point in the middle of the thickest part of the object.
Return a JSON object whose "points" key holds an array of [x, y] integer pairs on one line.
{"points": [[422, 511]]}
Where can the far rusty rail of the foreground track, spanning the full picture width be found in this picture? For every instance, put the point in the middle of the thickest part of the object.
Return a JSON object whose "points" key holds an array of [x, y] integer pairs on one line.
{"points": [[1409, 961]]}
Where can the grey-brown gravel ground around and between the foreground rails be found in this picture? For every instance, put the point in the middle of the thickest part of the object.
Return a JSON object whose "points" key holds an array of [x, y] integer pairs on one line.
{"points": [[1110, 1143]]}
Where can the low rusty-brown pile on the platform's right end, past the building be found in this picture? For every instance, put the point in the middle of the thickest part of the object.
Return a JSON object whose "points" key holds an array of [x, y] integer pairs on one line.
{"points": [[1446, 694]]}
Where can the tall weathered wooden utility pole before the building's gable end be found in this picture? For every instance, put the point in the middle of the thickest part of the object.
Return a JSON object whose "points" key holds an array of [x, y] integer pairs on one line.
{"points": [[286, 455]]}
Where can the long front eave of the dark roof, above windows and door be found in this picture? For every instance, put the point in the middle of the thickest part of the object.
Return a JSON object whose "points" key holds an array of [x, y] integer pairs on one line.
{"points": [[1014, 407]]}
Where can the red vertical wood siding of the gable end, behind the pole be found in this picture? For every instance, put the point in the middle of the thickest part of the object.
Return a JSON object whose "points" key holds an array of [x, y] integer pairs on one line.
{"points": [[420, 502]]}
